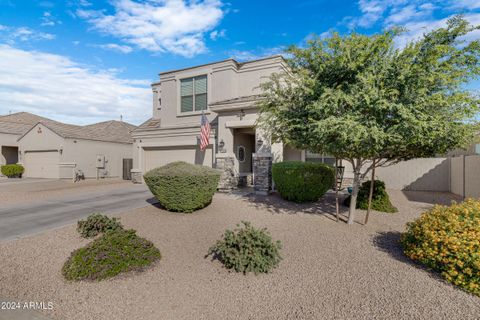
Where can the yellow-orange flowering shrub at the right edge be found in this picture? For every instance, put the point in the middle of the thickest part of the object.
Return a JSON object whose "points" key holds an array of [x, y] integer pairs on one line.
{"points": [[447, 239]]}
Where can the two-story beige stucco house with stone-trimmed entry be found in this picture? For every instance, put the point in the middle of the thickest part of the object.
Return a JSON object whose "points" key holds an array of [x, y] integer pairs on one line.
{"points": [[227, 92]]}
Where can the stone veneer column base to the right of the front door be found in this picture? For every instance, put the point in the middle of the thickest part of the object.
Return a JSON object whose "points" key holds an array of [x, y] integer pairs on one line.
{"points": [[262, 173]]}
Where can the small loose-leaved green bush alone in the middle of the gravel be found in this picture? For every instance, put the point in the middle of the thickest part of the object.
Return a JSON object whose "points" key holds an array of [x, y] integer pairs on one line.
{"points": [[247, 249]]}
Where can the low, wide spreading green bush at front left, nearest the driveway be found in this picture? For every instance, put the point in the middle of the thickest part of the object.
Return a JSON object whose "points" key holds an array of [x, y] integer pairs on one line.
{"points": [[115, 252]]}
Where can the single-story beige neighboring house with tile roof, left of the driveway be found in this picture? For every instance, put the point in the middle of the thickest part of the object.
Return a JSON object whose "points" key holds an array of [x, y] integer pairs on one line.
{"points": [[51, 149]]}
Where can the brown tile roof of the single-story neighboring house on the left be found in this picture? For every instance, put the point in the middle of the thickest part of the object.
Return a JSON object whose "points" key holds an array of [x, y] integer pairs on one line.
{"points": [[110, 131]]}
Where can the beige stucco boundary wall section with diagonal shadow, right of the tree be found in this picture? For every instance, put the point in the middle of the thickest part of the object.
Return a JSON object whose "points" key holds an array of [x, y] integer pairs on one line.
{"points": [[428, 174]]}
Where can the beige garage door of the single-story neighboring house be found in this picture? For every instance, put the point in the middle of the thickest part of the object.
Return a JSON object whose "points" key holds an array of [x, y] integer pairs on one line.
{"points": [[42, 164]]}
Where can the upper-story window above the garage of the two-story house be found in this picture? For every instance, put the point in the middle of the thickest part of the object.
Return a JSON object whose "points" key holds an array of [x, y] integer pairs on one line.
{"points": [[193, 94]]}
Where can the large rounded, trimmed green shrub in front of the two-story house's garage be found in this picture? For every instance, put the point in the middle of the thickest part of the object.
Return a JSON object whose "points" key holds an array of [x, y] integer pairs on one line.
{"points": [[183, 187]]}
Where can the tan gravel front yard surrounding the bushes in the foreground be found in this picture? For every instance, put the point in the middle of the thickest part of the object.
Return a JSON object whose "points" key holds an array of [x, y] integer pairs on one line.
{"points": [[329, 271]]}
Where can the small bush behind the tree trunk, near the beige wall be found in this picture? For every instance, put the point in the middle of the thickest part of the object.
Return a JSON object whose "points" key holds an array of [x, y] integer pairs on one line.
{"points": [[380, 199]]}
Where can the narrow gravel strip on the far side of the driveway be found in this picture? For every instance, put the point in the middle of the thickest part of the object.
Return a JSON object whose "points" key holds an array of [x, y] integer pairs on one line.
{"points": [[24, 190]]}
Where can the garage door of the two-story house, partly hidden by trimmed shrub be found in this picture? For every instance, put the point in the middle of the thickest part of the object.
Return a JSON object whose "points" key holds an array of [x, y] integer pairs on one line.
{"points": [[156, 157]]}
